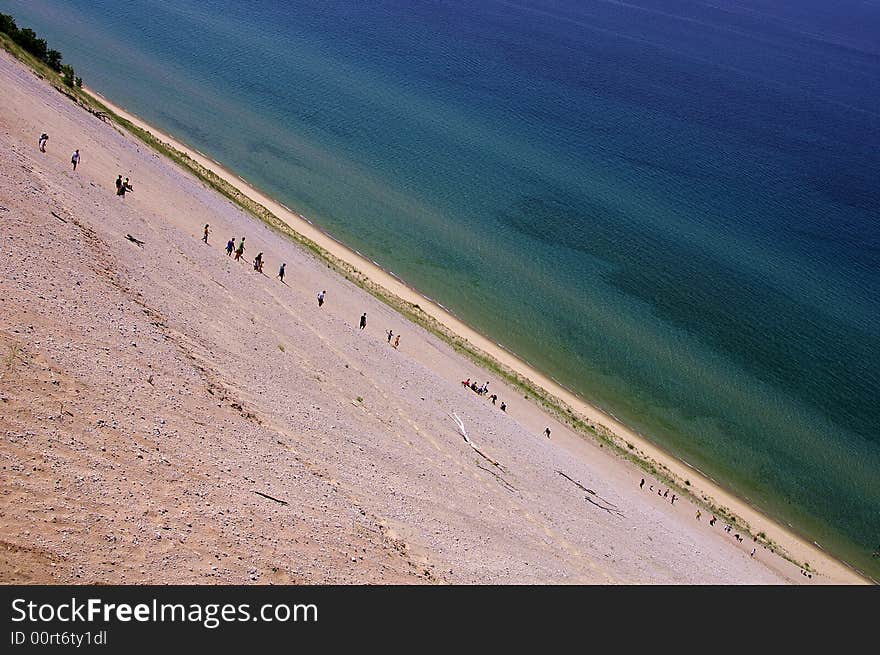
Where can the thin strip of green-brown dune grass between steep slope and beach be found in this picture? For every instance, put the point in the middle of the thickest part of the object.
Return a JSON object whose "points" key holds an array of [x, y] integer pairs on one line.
{"points": [[411, 311]]}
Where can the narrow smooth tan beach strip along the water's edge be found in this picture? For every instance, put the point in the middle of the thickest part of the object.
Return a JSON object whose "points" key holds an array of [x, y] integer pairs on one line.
{"points": [[700, 487]]}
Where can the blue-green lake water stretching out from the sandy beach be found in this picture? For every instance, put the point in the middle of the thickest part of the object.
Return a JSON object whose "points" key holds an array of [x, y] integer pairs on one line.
{"points": [[671, 207]]}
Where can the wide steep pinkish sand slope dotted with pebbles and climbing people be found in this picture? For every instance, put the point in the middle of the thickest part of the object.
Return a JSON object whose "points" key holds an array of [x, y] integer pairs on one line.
{"points": [[147, 394]]}
